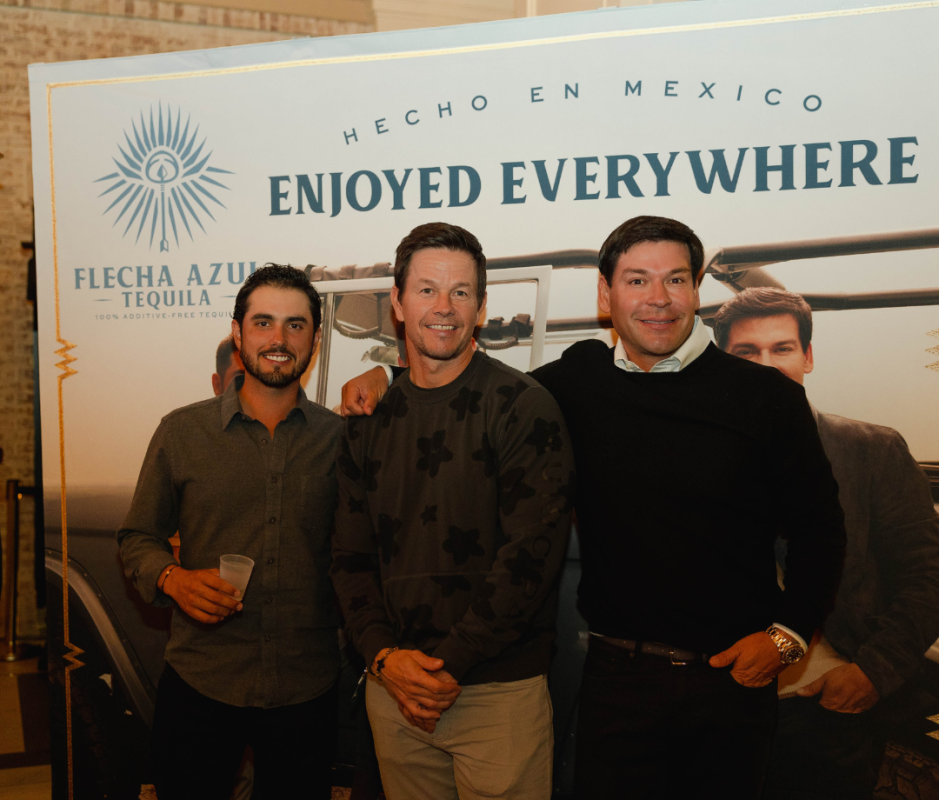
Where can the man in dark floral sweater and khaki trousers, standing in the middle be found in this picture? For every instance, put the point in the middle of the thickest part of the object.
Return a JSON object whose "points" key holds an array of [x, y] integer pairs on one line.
{"points": [[455, 499]]}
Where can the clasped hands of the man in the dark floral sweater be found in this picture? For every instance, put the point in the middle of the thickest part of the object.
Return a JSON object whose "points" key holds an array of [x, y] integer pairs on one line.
{"points": [[420, 686]]}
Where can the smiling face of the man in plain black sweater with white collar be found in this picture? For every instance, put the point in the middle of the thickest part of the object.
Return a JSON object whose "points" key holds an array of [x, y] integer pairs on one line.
{"points": [[652, 299]]}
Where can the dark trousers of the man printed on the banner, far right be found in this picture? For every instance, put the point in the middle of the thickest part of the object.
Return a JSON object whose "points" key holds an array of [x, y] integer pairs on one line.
{"points": [[822, 755]]}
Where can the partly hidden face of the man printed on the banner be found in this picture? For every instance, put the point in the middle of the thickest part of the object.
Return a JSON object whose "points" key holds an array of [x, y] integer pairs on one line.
{"points": [[772, 341]]}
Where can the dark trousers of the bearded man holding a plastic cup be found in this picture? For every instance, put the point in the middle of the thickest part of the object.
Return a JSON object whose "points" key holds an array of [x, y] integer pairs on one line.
{"points": [[198, 743]]}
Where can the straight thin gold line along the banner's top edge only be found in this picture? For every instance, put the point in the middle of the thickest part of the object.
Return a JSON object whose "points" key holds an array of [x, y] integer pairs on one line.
{"points": [[483, 48]]}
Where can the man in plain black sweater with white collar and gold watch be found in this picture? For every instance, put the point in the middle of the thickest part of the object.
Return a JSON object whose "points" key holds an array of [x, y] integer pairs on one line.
{"points": [[689, 464]]}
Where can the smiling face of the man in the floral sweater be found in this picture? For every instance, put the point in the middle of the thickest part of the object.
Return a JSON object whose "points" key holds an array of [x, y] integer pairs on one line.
{"points": [[438, 305]]}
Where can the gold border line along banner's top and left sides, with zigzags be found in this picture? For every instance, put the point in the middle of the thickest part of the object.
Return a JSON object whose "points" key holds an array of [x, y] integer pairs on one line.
{"points": [[73, 651]]}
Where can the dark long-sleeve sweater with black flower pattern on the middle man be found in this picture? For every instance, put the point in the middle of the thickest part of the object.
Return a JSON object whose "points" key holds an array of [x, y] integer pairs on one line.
{"points": [[453, 517]]}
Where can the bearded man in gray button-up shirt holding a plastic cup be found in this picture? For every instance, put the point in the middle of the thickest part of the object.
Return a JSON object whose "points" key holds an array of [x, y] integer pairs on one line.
{"points": [[251, 473]]}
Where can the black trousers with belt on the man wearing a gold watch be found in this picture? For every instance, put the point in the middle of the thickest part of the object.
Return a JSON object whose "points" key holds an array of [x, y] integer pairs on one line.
{"points": [[648, 728]]}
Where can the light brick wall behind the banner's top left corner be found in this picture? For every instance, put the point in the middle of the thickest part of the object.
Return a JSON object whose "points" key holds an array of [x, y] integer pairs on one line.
{"points": [[34, 31]]}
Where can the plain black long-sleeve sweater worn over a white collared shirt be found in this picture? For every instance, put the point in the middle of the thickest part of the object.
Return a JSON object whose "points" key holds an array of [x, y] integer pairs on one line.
{"points": [[684, 481]]}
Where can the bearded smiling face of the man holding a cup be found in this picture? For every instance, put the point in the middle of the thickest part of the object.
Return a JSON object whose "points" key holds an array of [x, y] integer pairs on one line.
{"points": [[276, 338]]}
